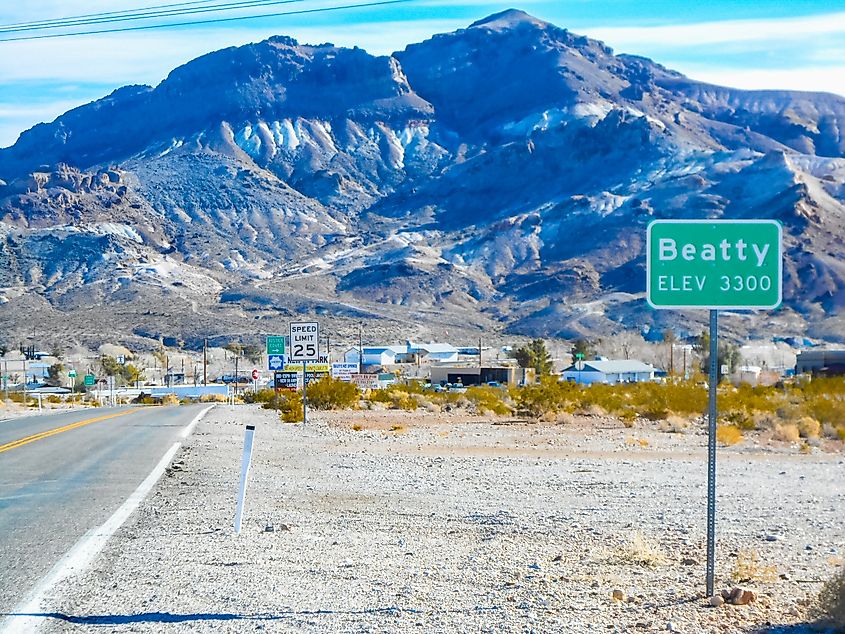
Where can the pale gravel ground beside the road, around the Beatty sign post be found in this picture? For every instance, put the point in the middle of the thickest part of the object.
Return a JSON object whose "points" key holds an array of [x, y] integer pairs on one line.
{"points": [[450, 523]]}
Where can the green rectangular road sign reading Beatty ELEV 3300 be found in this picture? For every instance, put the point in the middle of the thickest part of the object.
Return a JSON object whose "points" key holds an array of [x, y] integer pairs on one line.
{"points": [[715, 264]]}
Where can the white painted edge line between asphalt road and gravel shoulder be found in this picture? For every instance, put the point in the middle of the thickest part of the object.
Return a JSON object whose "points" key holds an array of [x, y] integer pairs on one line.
{"points": [[26, 617]]}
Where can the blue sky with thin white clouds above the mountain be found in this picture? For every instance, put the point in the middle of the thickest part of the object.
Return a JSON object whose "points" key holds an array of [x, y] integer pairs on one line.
{"points": [[796, 44]]}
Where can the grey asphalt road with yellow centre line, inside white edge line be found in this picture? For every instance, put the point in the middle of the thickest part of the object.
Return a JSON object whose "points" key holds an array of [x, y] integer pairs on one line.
{"points": [[61, 484]]}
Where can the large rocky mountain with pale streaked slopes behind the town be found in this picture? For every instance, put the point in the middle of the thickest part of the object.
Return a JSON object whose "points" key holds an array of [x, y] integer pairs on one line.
{"points": [[497, 178]]}
